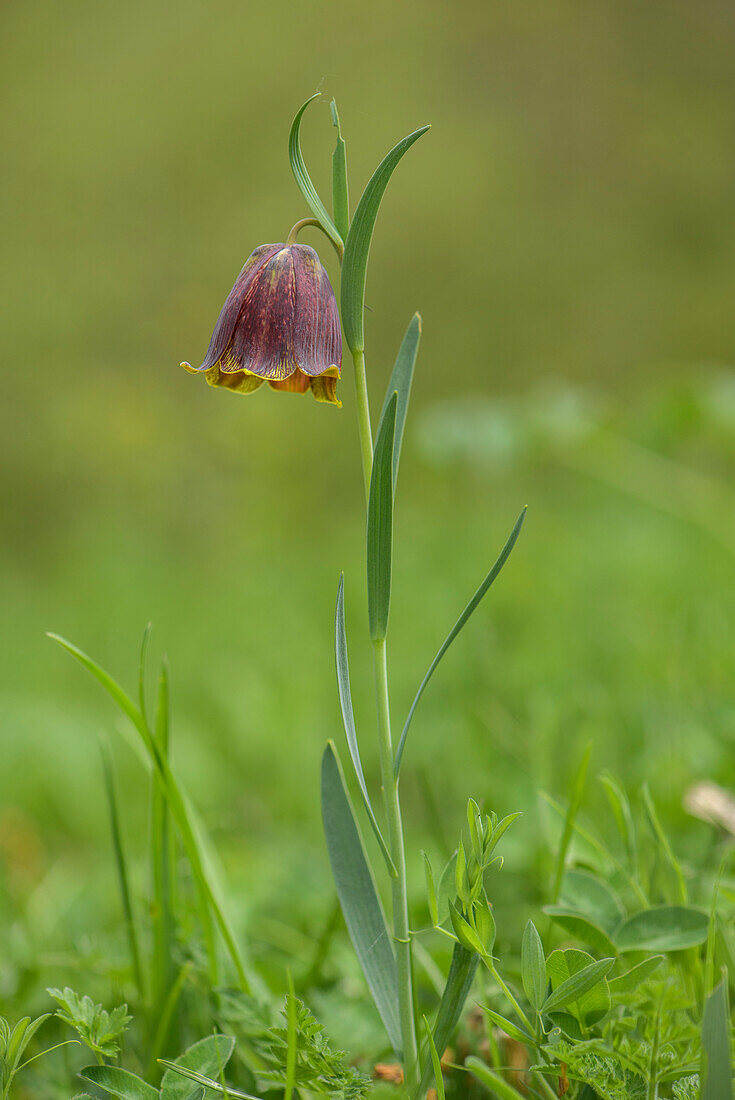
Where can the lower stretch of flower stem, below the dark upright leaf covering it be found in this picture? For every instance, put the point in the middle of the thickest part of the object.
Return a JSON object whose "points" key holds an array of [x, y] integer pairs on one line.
{"points": [[401, 930]]}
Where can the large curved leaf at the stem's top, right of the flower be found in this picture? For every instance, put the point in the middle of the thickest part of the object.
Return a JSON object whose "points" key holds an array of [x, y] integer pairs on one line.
{"points": [[357, 248]]}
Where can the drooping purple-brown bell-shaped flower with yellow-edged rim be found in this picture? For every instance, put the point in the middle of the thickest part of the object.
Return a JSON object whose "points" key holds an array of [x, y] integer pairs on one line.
{"points": [[280, 325]]}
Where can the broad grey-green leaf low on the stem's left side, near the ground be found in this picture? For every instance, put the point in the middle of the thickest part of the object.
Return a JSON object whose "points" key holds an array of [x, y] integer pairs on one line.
{"points": [[358, 896]]}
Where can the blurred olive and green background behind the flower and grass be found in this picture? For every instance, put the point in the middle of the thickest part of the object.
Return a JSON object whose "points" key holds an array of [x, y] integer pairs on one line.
{"points": [[566, 230]]}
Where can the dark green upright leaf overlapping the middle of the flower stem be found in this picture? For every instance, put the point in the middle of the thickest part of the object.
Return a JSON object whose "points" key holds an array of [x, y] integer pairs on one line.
{"points": [[380, 526]]}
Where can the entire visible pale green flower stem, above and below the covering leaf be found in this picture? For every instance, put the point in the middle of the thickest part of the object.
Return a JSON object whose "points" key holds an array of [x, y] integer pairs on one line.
{"points": [[401, 930]]}
